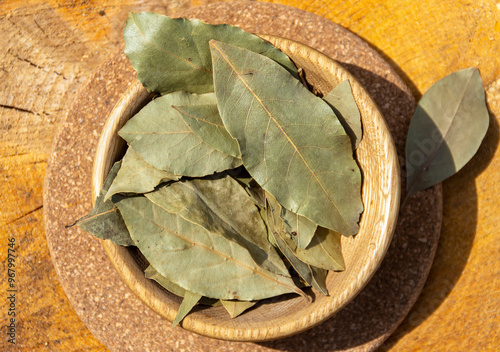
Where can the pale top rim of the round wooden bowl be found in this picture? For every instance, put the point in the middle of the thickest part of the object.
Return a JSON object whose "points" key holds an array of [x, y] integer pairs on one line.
{"points": [[151, 295]]}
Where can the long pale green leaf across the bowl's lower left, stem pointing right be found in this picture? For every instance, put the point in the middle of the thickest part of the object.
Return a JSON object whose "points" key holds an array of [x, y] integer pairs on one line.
{"points": [[196, 259]]}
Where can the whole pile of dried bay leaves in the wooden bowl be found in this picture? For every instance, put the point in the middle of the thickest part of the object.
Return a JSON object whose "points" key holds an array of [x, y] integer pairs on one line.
{"points": [[237, 182]]}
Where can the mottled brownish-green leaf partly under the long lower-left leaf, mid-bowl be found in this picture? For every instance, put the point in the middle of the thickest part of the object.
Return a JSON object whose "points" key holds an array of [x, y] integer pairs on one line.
{"points": [[223, 207]]}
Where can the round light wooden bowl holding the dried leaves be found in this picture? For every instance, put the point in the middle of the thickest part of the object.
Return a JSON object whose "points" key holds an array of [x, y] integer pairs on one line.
{"points": [[278, 317]]}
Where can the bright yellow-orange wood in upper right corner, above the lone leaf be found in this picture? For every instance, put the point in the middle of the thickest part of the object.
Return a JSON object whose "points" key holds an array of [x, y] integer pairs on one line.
{"points": [[423, 39]]}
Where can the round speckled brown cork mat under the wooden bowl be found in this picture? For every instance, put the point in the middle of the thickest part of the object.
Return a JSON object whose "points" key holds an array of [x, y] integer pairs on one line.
{"points": [[119, 319]]}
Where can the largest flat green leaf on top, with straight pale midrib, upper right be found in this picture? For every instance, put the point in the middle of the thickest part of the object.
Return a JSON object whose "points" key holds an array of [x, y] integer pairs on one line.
{"points": [[290, 140]]}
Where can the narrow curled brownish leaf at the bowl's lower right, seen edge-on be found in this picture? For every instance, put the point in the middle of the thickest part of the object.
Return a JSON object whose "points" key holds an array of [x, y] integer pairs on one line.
{"points": [[314, 277]]}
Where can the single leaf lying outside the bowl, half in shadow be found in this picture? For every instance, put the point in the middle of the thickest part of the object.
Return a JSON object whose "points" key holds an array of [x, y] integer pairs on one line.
{"points": [[446, 129]]}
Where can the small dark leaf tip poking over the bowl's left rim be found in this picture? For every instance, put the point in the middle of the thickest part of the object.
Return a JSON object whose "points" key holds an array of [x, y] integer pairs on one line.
{"points": [[105, 221]]}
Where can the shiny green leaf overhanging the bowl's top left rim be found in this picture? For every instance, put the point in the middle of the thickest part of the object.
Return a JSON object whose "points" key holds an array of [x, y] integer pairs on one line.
{"points": [[172, 54]]}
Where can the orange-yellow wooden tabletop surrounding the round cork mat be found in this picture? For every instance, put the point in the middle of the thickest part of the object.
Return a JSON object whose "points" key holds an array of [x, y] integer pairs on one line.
{"points": [[49, 47]]}
